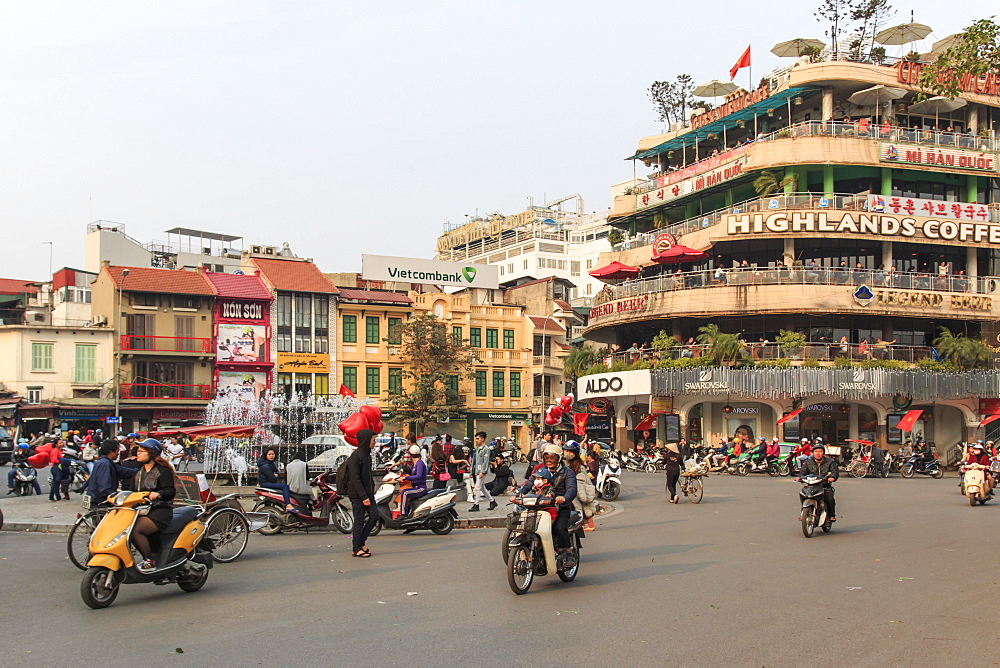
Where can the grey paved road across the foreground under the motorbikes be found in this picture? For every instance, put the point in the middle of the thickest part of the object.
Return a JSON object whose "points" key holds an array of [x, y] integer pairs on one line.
{"points": [[728, 582]]}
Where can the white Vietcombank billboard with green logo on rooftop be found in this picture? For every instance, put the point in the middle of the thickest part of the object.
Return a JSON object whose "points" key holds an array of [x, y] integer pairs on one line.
{"points": [[412, 270]]}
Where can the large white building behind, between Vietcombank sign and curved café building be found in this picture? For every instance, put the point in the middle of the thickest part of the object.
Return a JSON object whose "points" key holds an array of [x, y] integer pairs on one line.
{"points": [[539, 242]]}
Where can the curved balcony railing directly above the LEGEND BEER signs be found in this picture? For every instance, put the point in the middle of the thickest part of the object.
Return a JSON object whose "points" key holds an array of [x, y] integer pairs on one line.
{"points": [[798, 275]]}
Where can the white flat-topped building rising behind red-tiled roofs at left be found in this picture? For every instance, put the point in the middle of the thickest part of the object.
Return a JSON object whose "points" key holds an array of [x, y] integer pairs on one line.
{"points": [[183, 248]]}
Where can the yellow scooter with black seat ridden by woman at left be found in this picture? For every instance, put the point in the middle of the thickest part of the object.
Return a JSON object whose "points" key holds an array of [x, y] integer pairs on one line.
{"points": [[179, 556]]}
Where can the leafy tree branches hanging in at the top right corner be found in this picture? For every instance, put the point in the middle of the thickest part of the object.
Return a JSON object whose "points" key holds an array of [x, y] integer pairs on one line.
{"points": [[976, 54]]}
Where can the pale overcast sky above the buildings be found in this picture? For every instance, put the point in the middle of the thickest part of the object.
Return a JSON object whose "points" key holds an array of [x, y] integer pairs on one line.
{"points": [[344, 128]]}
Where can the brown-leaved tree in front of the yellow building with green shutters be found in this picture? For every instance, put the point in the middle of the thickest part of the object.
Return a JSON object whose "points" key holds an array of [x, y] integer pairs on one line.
{"points": [[431, 357]]}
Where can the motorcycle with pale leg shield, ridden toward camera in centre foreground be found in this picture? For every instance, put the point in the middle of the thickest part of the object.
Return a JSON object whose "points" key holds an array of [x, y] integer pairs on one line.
{"points": [[530, 548]]}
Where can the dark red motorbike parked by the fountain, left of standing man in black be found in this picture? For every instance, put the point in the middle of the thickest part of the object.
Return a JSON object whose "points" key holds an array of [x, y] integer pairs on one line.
{"points": [[328, 504]]}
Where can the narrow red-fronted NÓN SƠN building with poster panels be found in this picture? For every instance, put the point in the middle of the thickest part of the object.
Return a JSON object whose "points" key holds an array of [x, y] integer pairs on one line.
{"points": [[242, 335]]}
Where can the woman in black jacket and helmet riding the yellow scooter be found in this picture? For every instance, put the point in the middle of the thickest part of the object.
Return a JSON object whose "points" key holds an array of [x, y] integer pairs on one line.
{"points": [[155, 476]]}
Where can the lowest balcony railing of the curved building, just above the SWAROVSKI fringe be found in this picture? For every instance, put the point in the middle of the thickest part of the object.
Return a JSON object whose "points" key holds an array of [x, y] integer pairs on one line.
{"points": [[823, 351]]}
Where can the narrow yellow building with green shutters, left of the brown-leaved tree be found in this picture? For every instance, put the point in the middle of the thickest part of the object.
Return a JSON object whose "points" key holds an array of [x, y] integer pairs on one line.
{"points": [[368, 362]]}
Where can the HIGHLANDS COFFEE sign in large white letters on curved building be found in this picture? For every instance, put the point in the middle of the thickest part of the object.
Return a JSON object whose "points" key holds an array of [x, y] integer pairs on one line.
{"points": [[847, 222]]}
